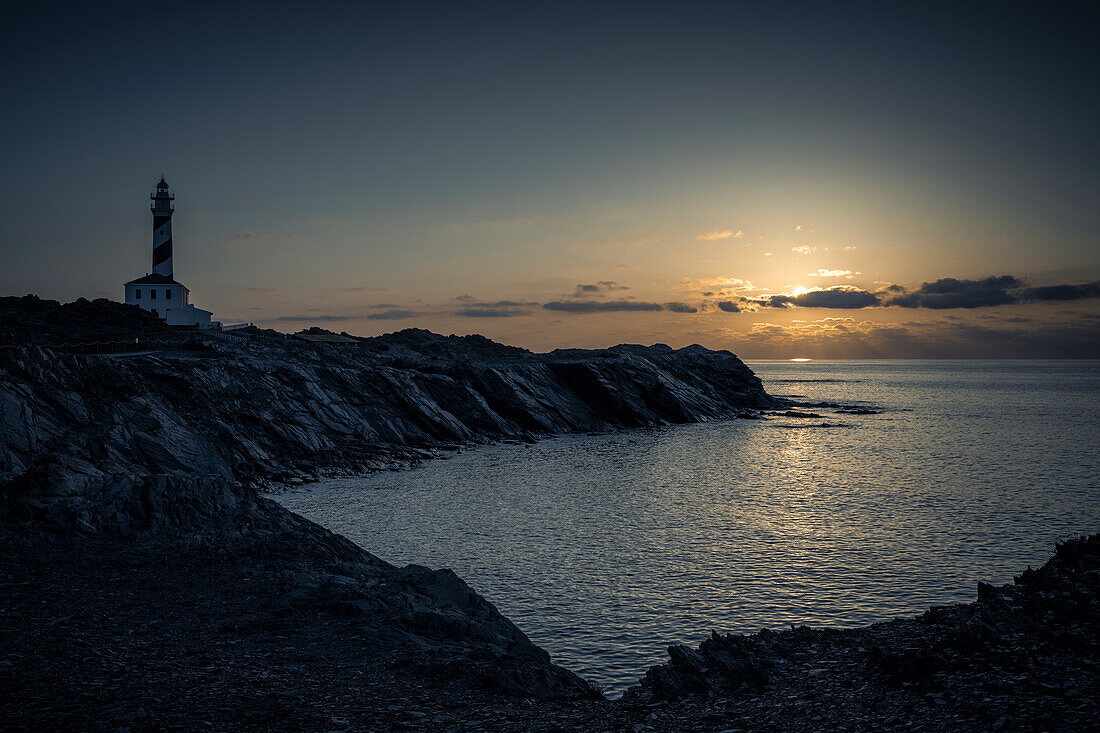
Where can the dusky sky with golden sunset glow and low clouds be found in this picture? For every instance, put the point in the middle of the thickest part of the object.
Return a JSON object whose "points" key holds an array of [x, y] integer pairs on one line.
{"points": [[780, 180]]}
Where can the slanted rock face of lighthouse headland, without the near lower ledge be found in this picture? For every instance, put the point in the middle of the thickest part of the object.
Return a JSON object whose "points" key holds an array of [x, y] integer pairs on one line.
{"points": [[111, 442]]}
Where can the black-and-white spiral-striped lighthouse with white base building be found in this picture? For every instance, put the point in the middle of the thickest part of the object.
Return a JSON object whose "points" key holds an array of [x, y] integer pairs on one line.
{"points": [[159, 291]]}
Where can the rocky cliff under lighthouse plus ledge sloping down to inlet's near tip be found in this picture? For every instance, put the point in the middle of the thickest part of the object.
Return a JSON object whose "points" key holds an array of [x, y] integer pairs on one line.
{"points": [[177, 439]]}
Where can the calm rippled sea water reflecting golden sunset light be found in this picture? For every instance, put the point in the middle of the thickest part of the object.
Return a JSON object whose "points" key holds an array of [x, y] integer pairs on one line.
{"points": [[607, 550]]}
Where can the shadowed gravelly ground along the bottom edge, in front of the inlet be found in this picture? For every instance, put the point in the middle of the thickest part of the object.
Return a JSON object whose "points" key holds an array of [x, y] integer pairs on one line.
{"points": [[267, 633]]}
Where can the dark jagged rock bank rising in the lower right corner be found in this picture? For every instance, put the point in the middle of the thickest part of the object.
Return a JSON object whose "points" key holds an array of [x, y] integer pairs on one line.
{"points": [[1025, 657]]}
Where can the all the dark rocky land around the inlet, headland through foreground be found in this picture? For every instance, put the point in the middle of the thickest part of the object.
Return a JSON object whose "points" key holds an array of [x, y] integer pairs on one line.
{"points": [[147, 585]]}
